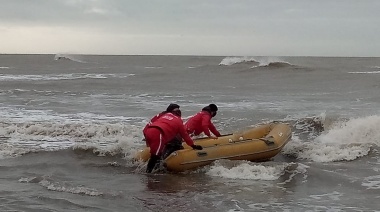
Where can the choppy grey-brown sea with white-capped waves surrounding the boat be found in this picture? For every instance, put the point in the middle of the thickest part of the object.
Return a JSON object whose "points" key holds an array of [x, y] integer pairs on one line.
{"points": [[70, 126]]}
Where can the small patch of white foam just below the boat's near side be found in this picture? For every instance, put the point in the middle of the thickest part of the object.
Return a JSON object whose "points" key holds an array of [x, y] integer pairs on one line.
{"points": [[247, 170]]}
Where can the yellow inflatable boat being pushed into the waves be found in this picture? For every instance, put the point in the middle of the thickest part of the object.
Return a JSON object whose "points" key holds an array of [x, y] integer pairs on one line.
{"points": [[258, 143]]}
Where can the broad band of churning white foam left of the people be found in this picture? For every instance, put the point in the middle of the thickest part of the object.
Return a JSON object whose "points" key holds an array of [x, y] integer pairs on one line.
{"points": [[23, 131]]}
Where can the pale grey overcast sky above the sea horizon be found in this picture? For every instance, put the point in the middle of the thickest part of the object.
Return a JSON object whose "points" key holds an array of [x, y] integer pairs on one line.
{"points": [[192, 27]]}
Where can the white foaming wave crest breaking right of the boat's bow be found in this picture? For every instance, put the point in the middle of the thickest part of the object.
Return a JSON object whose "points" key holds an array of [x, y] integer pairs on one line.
{"points": [[346, 140]]}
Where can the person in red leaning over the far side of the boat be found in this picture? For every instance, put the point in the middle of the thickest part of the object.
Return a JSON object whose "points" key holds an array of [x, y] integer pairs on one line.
{"points": [[201, 122]]}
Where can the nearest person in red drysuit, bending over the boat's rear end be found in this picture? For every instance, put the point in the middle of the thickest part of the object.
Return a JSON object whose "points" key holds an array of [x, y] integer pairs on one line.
{"points": [[162, 131]]}
